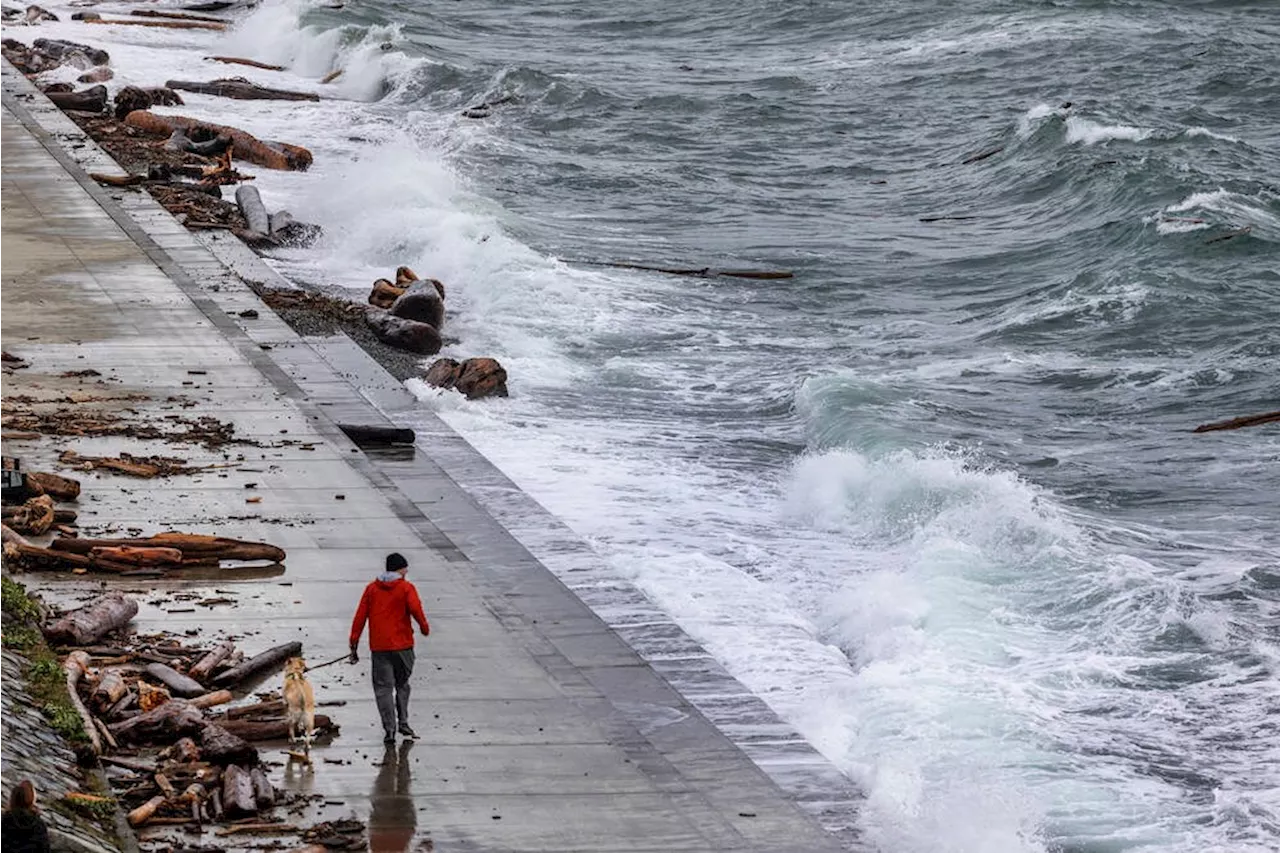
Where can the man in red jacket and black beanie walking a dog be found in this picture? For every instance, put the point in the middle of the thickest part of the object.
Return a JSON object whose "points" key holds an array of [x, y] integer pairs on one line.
{"points": [[388, 605]]}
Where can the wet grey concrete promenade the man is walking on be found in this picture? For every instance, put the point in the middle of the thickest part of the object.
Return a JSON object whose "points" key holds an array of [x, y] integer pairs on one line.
{"points": [[541, 731]]}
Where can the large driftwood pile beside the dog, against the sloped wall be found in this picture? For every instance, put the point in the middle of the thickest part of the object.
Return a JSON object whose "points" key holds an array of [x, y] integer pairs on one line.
{"points": [[159, 710]]}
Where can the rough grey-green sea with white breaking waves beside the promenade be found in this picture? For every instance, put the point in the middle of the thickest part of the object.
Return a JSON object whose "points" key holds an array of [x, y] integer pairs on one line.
{"points": [[935, 499]]}
